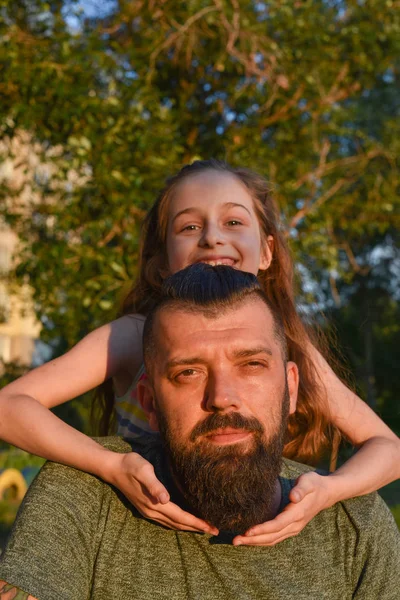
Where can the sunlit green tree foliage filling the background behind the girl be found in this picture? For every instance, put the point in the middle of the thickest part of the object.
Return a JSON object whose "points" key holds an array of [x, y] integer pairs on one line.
{"points": [[113, 100]]}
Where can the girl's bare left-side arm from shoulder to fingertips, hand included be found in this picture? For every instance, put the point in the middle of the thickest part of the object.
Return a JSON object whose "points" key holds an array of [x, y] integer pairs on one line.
{"points": [[114, 350]]}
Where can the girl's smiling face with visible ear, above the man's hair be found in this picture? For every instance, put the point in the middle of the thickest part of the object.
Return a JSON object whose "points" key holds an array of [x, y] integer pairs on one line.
{"points": [[212, 219]]}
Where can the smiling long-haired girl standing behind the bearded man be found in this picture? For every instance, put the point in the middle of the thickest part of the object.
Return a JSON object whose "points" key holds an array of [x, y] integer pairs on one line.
{"points": [[209, 212]]}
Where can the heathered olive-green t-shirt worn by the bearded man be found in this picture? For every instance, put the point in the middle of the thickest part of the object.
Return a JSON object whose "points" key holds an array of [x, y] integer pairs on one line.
{"points": [[77, 538]]}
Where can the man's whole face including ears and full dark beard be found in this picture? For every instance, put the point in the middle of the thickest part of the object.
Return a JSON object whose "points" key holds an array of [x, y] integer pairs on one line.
{"points": [[220, 394]]}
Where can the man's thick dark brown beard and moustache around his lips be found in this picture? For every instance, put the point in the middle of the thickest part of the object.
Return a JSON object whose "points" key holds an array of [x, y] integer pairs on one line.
{"points": [[230, 486]]}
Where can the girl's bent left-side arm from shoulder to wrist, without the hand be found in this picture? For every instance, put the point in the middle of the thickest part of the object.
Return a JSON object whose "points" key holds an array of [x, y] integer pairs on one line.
{"points": [[25, 418]]}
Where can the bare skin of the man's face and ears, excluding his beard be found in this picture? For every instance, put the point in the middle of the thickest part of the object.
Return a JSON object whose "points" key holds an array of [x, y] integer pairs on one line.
{"points": [[231, 364]]}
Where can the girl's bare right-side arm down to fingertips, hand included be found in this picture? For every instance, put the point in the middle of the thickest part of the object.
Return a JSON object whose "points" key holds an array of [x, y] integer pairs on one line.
{"points": [[376, 464]]}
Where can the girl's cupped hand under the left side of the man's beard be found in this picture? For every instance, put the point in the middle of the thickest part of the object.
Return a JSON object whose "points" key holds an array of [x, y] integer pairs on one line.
{"points": [[136, 479]]}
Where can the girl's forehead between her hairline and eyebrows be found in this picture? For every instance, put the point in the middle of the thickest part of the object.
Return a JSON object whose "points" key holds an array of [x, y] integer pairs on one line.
{"points": [[209, 188]]}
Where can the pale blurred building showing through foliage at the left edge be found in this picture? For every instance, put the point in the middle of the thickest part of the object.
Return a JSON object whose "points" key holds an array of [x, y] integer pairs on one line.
{"points": [[28, 170]]}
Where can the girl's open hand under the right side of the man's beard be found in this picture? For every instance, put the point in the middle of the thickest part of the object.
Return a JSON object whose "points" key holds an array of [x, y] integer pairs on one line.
{"points": [[310, 495]]}
